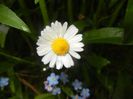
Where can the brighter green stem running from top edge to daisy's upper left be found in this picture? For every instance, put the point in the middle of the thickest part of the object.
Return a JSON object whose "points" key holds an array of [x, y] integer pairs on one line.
{"points": [[43, 8]]}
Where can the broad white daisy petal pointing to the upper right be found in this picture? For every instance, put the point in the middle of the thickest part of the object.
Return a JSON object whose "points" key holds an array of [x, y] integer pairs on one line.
{"points": [[71, 31]]}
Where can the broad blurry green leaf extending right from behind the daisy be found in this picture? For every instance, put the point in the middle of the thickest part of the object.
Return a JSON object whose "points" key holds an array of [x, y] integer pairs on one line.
{"points": [[104, 35]]}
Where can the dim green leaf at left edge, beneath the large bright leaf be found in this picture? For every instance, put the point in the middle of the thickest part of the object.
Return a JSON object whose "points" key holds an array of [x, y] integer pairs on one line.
{"points": [[3, 32]]}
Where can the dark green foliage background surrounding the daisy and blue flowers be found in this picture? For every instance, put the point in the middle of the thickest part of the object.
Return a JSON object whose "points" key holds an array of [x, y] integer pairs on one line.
{"points": [[107, 62]]}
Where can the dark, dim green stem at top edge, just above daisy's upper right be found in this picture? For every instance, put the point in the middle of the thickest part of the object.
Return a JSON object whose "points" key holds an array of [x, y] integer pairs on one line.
{"points": [[69, 10]]}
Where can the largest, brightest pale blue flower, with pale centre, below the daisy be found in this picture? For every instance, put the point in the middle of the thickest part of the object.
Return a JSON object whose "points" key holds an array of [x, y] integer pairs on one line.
{"points": [[53, 79]]}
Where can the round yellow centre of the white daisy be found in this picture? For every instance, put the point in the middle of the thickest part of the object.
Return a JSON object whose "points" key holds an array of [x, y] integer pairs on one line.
{"points": [[60, 46]]}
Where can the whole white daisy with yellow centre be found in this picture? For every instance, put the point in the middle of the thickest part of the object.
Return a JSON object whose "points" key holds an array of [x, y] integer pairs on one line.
{"points": [[58, 43]]}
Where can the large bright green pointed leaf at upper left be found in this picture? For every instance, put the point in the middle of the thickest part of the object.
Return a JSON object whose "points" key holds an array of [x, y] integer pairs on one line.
{"points": [[8, 17]]}
